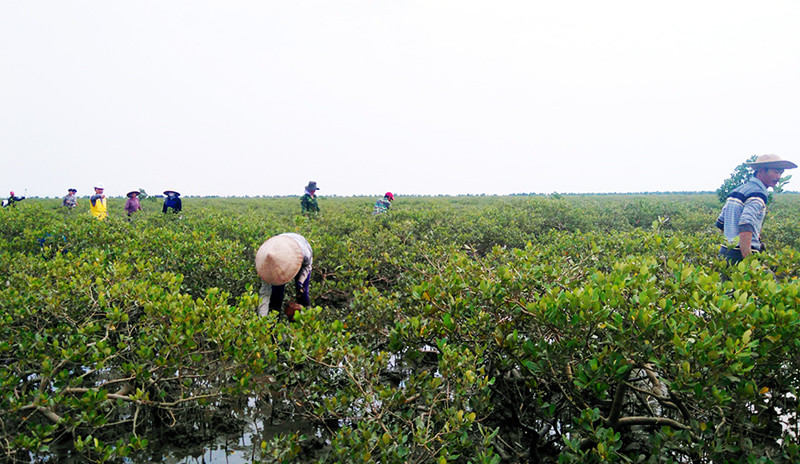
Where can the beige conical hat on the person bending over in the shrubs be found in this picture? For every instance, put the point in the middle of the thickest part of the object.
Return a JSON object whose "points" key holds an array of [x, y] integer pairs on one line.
{"points": [[278, 260]]}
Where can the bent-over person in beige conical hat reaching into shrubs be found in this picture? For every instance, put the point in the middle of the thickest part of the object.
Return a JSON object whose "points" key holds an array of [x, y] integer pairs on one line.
{"points": [[280, 260]]}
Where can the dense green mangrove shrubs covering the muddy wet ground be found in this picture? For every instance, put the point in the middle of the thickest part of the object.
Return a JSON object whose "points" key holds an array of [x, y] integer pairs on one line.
{"points": [[469, 329]]}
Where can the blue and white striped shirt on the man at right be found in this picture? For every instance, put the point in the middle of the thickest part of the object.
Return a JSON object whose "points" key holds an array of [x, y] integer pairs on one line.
{"points": [[744, 211]]}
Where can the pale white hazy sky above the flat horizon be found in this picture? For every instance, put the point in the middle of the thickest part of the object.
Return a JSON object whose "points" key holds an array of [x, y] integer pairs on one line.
{"points": [[424, 97]]}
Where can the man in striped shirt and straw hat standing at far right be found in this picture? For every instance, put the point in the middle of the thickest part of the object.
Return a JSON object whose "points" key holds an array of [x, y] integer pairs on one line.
{"points": [[743, 214]]}
